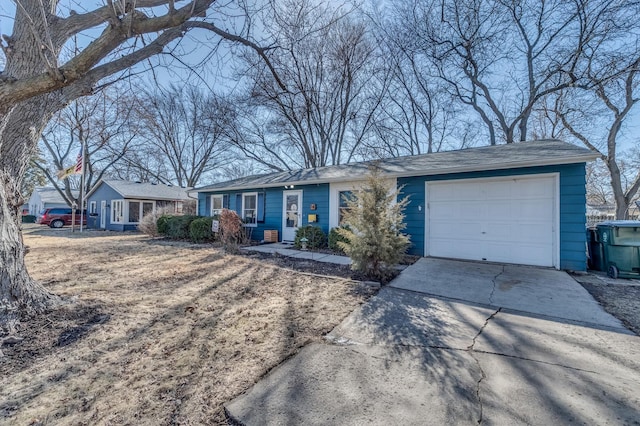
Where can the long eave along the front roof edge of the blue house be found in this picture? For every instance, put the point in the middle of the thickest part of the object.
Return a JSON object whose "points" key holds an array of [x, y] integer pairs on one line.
{"points": [[583, 158]]}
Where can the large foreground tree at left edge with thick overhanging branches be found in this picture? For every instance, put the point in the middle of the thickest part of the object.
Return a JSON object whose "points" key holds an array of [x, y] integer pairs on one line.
{"points": [[36, 82]]}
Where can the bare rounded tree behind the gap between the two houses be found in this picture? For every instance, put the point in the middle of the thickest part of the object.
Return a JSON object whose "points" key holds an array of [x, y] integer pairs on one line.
{"points": [[184, 130]]}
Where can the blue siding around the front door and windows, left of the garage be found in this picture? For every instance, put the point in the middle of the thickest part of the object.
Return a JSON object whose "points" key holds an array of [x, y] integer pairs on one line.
{"points": [[317, 194]]}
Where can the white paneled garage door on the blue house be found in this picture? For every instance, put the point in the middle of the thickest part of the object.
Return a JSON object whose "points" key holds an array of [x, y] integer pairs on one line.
{"points": [[507, 220]]}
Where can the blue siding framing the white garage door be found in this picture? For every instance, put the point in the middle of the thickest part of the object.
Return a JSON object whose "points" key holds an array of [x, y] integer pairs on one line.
{"points": [[572, 208]]}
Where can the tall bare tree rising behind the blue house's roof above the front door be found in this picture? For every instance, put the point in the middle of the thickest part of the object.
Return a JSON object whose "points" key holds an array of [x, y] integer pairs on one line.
{"points": [[321, 106]]}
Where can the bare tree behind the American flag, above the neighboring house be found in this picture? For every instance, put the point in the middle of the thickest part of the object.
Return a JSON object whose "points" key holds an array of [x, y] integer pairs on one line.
{"points": [[100, 127]]}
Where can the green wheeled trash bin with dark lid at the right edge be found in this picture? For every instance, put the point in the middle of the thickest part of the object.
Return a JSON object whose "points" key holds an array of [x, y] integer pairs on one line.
{"points": [[619, 248]]}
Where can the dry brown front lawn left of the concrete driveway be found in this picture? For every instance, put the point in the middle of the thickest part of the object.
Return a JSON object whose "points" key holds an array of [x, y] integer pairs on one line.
{"points": [[158, 333]]}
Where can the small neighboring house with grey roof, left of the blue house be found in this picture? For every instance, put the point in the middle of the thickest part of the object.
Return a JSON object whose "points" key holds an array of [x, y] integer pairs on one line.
{"points": [[118, 205]]}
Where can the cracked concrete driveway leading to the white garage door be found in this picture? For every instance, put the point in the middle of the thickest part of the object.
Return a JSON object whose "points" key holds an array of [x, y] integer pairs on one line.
{"points": [[460, 343]]}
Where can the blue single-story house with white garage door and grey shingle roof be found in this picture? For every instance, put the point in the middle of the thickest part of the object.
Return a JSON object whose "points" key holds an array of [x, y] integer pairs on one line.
{"points": [[521, 203]]}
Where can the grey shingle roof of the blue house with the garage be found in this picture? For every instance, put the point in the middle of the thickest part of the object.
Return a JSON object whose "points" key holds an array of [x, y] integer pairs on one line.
{"points": [[522, 154]]}
